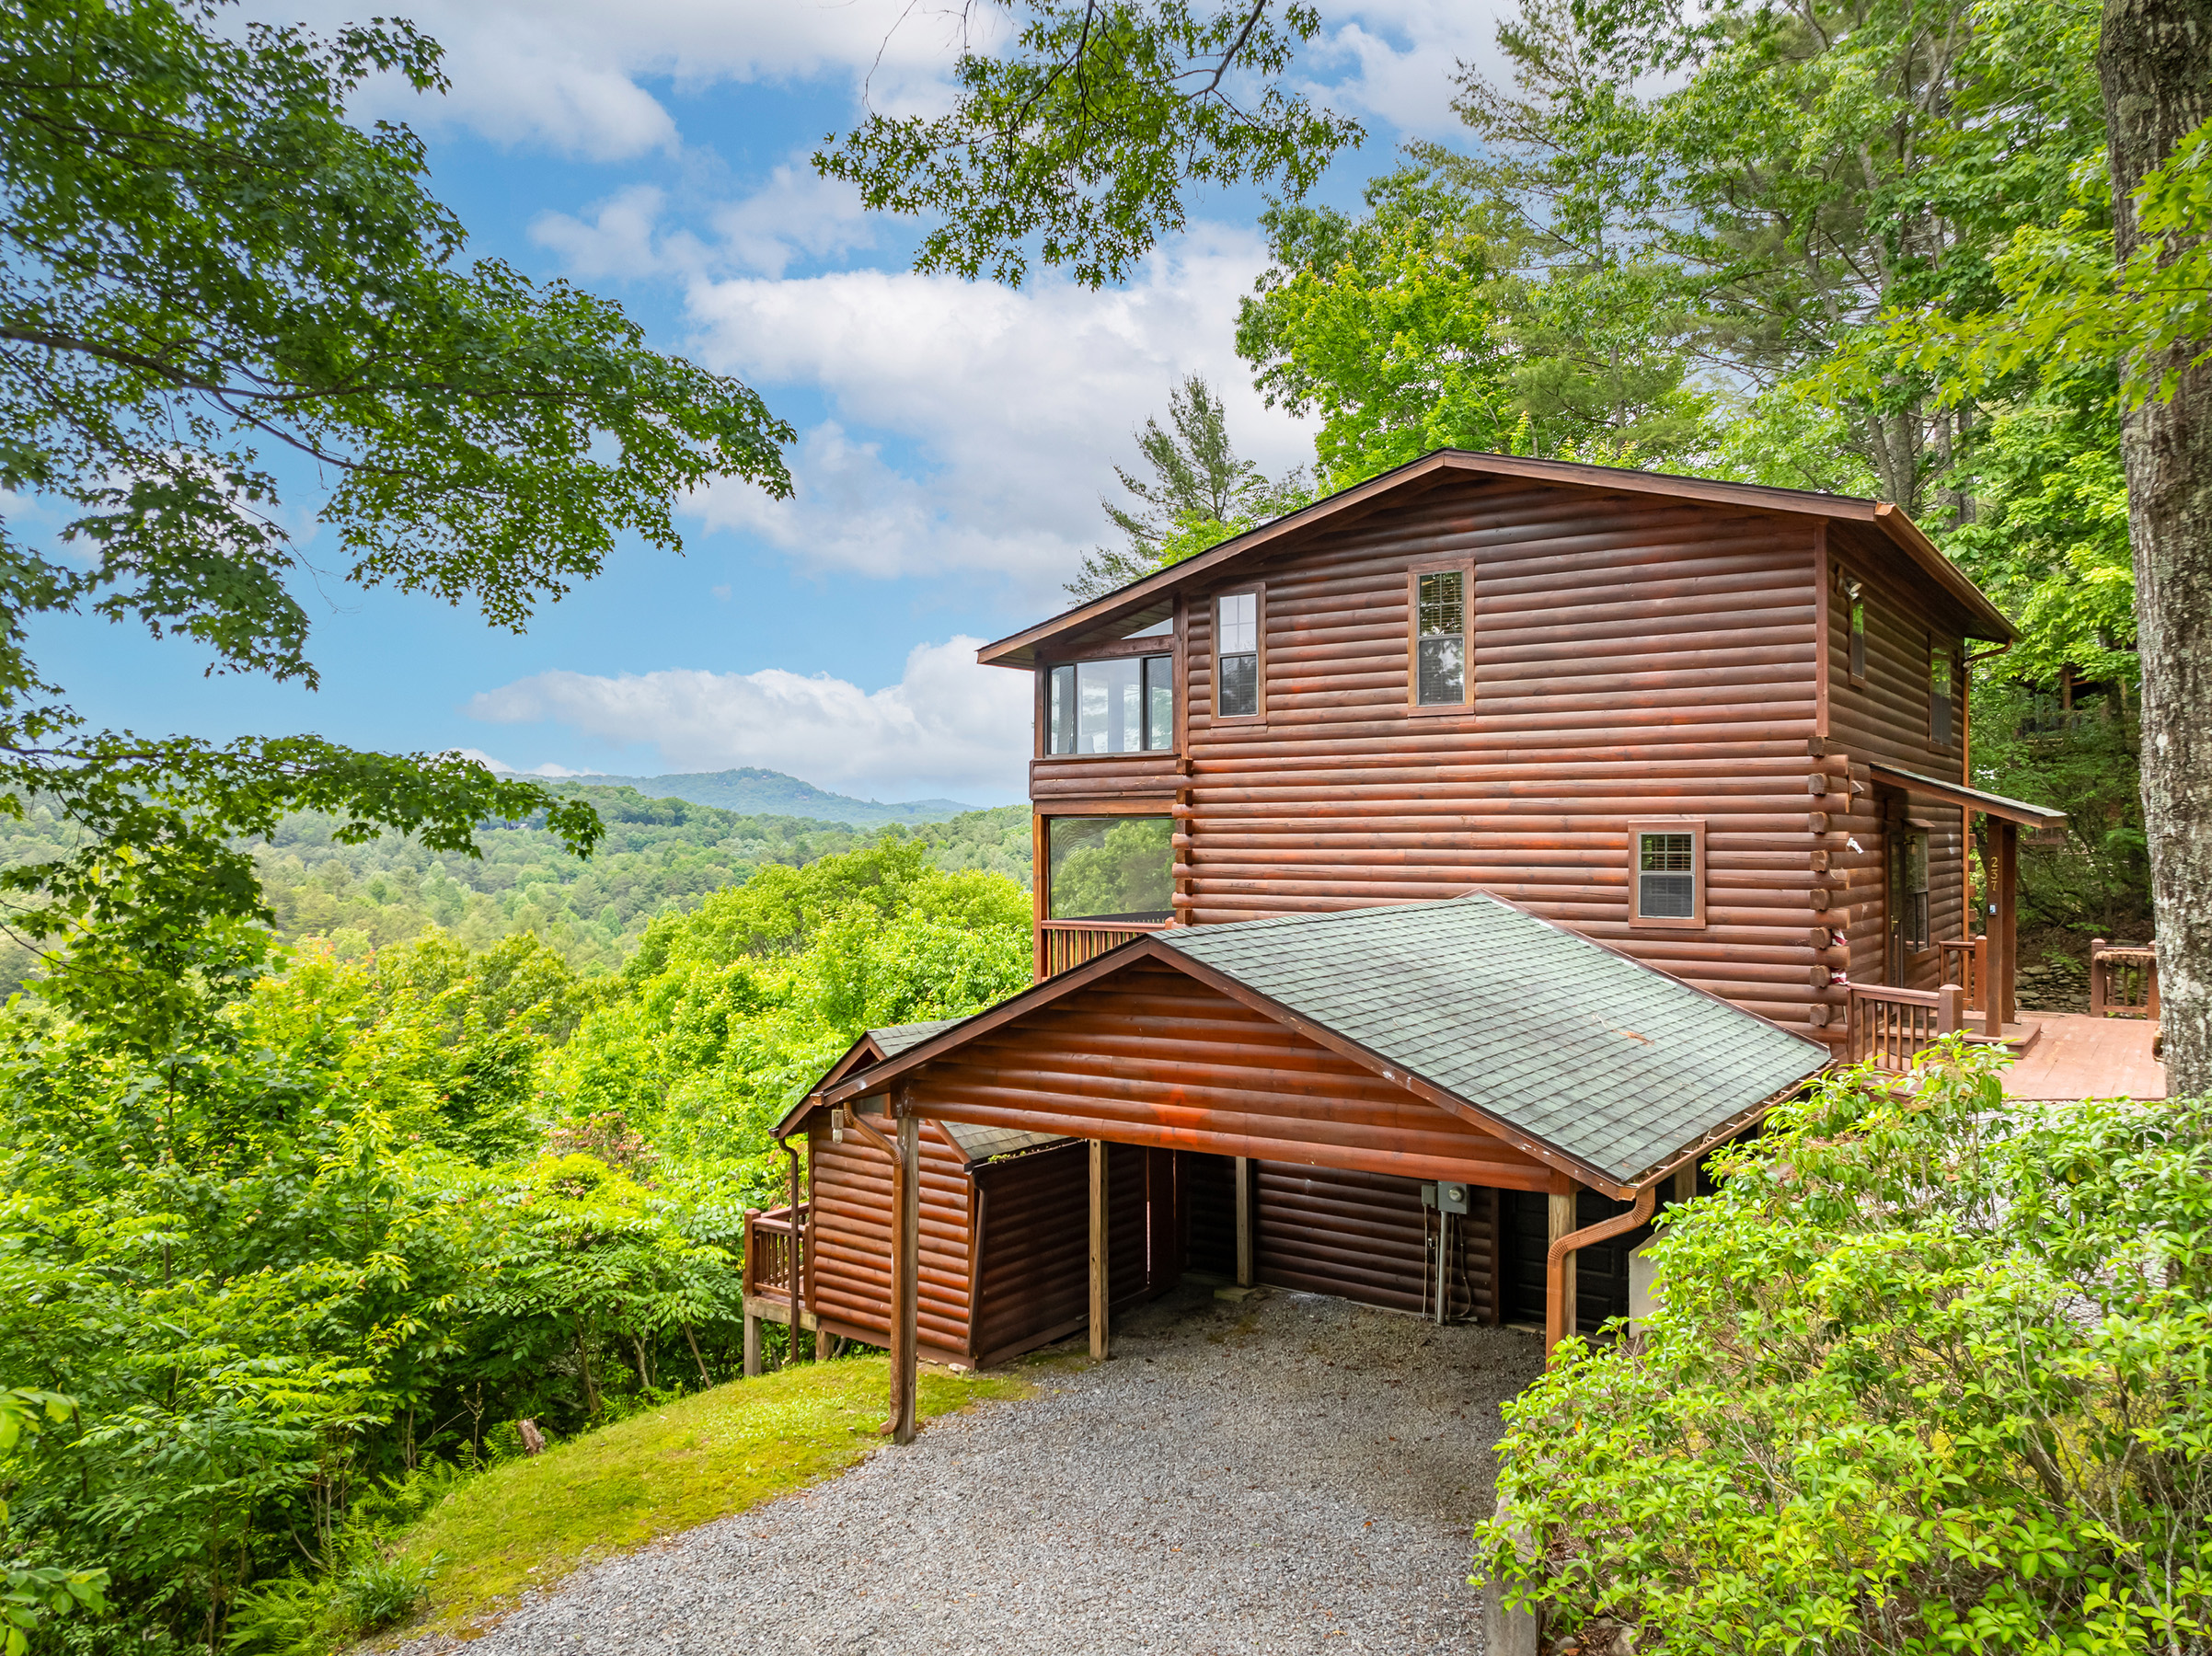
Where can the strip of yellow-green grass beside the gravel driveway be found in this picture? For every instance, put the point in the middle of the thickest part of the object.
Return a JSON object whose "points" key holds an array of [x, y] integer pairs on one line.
{"points": [[530, 1522]]}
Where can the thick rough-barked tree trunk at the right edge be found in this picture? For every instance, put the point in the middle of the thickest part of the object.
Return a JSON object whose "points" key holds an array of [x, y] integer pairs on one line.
{"points": [[2156, 65]]}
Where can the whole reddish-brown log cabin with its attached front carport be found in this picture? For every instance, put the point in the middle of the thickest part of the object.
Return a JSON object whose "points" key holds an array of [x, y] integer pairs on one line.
{"points": [[1709, 733]]}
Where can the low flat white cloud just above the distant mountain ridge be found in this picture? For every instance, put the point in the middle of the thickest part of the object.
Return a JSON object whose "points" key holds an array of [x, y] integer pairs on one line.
{"points": [[946, 729]]}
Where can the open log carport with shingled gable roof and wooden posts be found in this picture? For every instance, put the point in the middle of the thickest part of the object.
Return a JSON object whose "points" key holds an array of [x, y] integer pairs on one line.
{"points": [[1463, 1054]]}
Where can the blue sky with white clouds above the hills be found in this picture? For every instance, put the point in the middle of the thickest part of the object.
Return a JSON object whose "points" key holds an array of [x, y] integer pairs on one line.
{"points": [[954, 437]]}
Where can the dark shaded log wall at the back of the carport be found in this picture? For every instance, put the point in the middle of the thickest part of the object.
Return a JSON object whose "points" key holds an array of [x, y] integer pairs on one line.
{"points": [[1366, 1237]]}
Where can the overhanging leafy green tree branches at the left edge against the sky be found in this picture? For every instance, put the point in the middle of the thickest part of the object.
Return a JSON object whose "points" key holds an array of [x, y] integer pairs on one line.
{"points": [[211, 275]]}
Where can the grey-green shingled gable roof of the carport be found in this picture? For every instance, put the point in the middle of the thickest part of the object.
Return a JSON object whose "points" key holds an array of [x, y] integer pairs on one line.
{"points": [[1605, 1067]]}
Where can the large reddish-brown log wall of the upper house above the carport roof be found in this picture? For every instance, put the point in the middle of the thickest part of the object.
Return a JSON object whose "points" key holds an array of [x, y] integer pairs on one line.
{"points": [[1631, 660]]}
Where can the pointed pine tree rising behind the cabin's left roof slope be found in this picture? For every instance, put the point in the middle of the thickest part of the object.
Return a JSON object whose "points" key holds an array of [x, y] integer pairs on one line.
{"points": [[1200, 494]]}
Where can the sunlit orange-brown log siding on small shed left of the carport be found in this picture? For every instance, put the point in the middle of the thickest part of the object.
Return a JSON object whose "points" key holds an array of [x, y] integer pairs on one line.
{"points": [[851, 1222]]}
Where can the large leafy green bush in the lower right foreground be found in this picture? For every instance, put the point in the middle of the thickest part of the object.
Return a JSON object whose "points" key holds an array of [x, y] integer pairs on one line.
{"points": [[1934, 1374]]}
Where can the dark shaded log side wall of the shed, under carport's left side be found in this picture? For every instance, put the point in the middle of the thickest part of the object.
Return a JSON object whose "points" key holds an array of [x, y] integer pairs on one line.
{"points": [[1034, 1279]]}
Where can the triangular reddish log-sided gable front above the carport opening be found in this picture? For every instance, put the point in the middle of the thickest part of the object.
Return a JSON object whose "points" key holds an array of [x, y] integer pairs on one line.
{"points": [[1154, 1058]]}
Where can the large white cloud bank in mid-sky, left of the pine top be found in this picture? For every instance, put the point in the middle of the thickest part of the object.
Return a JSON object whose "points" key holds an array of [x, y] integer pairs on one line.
{"points": [[1014, 403]]}
